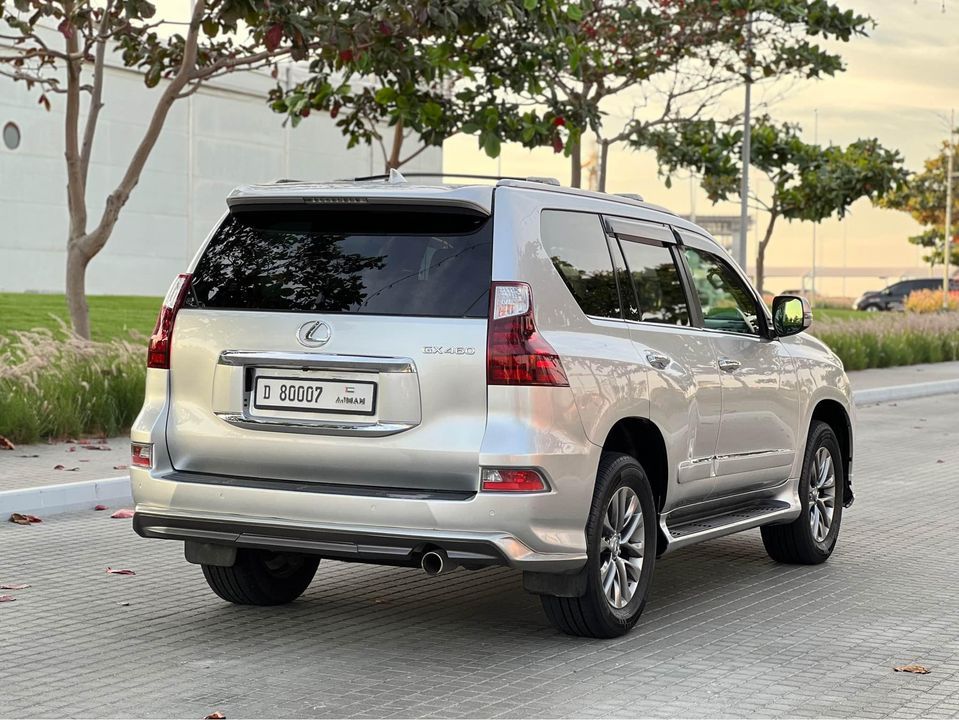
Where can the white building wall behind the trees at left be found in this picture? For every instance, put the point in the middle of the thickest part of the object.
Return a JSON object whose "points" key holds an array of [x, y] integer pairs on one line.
{"points": [[221, 137]]}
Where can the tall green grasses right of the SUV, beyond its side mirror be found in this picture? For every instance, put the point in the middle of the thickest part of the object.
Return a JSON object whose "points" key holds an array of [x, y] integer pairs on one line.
{"points": [[890, 340]]}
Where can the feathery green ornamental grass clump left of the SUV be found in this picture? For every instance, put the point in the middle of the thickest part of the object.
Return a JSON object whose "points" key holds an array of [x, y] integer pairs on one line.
{"points": [[56, 385]]}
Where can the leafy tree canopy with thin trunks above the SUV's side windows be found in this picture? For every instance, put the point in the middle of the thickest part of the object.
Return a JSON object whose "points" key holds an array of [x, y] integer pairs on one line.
{"points": [[672, 58]]}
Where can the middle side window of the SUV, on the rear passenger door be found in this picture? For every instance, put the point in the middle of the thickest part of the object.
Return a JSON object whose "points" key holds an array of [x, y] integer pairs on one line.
{"points": [[655, 277]]}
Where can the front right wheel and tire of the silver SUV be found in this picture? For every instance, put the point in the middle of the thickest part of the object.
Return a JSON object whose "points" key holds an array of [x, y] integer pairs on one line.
{"points": [[798, 542]]}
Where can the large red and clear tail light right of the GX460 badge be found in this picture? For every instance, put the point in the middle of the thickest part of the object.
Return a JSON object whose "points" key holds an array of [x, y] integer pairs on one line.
{"points": [[516, 354]]}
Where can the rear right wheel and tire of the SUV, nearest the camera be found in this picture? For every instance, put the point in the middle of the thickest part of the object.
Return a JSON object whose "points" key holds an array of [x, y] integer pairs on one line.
{"points": [[594, 614]]}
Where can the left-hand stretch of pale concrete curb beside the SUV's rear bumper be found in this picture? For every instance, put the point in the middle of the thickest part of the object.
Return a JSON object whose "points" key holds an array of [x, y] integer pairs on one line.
{"points": [[52, 499]]}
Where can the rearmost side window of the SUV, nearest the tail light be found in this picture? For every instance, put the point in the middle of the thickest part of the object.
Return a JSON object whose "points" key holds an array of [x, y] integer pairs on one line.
{"points": [[576, 243]]}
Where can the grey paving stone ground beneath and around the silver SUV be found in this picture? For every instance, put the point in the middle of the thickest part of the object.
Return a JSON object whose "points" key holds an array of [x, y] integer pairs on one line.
{"points": [[727, 632]]}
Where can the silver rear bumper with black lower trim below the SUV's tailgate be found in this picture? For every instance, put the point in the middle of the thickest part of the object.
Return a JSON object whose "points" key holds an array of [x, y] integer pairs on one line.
{"points": [[537, 532]]}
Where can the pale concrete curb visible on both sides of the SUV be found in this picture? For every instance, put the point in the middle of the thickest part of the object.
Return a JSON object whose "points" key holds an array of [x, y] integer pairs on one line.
{"points": [[52, 499]]}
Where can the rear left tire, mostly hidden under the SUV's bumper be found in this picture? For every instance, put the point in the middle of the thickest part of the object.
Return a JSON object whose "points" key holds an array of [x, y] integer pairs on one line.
{"points": [[260, 577]]}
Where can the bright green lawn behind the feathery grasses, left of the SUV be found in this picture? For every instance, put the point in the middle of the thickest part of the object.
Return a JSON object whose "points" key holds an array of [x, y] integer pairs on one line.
{"points": [[111, 316]]}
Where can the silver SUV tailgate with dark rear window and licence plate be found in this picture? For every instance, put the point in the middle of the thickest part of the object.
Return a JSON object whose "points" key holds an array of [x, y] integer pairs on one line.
{"points": [[341, 344]]}
